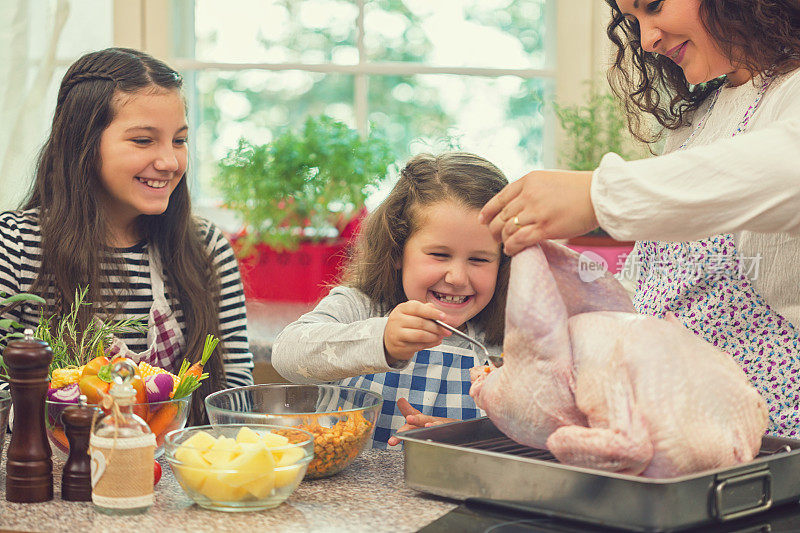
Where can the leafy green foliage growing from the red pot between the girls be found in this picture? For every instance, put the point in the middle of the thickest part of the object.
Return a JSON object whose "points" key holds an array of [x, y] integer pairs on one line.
{"points": [[302, 186]]}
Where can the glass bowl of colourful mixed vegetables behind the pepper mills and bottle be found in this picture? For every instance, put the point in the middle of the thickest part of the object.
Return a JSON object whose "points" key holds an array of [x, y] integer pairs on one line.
{"points": [[162, 398]]}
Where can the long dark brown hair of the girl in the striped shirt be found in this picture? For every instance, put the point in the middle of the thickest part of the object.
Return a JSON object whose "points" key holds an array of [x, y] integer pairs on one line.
{"points": [[73, 224]]}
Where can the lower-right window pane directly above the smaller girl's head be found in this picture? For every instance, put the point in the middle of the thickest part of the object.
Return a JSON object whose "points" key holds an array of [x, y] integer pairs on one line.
{"points": [[500, 119]]}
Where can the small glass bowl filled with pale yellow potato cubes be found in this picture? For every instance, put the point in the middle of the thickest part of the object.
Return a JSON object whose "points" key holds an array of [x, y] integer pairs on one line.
{"points": [[237, 467]]}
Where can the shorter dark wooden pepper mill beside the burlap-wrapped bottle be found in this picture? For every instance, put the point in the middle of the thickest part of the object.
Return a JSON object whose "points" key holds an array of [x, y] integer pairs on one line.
{"points": [[76, 479]]}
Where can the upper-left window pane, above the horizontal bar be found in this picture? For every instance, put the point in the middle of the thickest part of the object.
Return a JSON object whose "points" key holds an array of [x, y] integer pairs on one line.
{"points": [[276, 31]]}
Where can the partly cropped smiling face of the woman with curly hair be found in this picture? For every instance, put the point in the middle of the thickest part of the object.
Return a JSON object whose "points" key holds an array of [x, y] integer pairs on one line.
{"points": [[673, 28]]}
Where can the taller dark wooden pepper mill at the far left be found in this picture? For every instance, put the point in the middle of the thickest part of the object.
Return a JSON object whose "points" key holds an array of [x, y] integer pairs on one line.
{"points": [[29, 464]]}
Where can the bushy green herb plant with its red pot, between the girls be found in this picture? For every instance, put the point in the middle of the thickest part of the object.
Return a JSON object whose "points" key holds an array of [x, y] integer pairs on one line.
{"points": [[300, 198]]}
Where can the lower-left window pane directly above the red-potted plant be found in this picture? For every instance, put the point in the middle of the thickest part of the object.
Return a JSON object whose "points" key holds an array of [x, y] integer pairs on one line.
{"points": [[257, 104]]}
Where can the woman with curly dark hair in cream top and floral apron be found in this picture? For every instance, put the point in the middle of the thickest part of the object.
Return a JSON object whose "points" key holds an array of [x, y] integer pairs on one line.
{"points": [[716, 217]]}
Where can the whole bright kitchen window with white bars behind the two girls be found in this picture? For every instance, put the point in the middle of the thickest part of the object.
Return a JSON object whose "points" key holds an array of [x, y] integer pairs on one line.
{"points": [[471, 74]]}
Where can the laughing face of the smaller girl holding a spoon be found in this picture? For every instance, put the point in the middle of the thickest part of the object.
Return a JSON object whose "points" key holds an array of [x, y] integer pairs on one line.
{"points": [[451, 261]]}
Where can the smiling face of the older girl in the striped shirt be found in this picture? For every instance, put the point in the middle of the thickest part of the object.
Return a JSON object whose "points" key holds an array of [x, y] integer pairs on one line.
{"points": [[143, 156]]}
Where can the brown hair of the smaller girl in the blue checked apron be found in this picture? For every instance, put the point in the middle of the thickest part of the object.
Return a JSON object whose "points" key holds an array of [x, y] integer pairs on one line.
{"points": [[425, 180]]}
